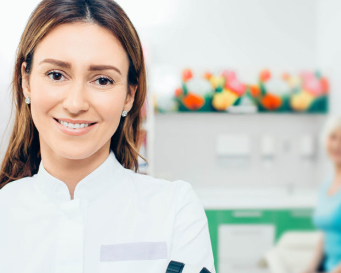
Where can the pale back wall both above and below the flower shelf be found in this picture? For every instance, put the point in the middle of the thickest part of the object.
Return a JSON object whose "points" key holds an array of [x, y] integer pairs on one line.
{"points": [[245, 36]]}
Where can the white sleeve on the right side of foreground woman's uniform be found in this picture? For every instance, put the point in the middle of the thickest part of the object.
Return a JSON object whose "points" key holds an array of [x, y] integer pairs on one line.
{"points": [[191, 243]]}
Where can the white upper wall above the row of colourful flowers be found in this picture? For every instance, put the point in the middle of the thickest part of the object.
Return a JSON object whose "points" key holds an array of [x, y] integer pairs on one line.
{"points": [[234, 33]]}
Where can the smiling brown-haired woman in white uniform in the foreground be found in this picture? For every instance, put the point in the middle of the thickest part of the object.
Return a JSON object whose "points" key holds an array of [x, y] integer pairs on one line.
{"points": [[70, 200]]}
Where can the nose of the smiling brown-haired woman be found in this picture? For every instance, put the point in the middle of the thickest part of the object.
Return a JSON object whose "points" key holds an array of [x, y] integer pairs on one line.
{"points": [[75, 100]]}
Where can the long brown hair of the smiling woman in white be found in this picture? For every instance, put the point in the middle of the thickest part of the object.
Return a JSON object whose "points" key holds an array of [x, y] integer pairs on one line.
{"points": [[22, 157]]}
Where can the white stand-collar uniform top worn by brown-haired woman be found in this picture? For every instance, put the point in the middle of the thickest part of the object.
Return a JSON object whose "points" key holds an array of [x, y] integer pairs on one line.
{"points": [[118, 221]]}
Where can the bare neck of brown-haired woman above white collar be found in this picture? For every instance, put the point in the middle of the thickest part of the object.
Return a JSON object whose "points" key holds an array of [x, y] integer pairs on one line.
{"points": [[71, 171]]}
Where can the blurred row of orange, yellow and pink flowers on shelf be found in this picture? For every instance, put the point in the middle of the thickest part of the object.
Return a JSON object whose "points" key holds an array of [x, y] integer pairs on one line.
{"points": [[306, 92]]}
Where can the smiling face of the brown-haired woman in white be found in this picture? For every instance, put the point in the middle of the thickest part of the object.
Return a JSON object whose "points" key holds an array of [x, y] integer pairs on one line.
{"points": [[78, 89]]}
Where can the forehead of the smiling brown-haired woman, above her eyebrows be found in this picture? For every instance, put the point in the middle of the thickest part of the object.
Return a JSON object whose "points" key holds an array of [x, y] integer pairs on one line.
{"points": [[82, 44]]}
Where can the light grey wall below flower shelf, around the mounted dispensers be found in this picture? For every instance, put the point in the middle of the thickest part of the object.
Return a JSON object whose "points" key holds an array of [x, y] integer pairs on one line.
{"points": [[185, 146]]}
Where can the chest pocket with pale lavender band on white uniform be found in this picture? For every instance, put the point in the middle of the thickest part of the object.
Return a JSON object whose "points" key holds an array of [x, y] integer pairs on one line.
{"points": [[134, 257]]}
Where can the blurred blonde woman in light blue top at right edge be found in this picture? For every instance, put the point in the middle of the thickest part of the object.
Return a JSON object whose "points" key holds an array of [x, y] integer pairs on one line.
{"points": [[327, 215]]}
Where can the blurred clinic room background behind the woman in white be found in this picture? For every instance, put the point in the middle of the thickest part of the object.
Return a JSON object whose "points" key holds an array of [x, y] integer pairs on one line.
{"points": [[239, 92]]}
